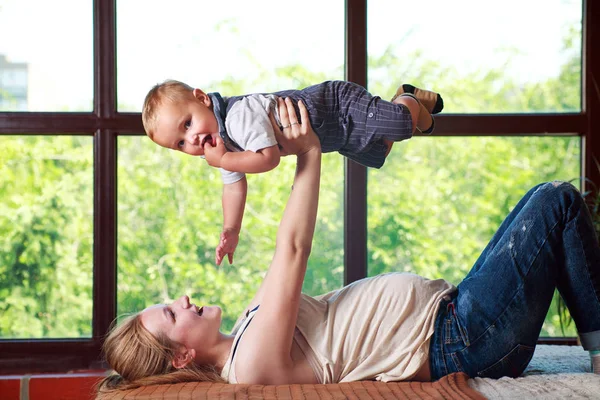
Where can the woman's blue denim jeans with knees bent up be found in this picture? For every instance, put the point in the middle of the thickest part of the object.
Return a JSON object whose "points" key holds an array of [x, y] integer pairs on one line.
{"points": [[489, 328]]}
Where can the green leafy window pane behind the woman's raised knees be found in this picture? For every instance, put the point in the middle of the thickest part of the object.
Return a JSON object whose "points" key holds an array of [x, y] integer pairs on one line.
{"points": [[437, 201]]}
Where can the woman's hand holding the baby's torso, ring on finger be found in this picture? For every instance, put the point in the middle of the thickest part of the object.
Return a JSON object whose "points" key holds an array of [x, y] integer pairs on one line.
{"points": [[295, 137]]}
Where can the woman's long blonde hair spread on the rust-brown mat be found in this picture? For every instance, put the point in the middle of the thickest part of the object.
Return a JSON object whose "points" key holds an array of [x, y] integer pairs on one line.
{"points": [[138, 358]]}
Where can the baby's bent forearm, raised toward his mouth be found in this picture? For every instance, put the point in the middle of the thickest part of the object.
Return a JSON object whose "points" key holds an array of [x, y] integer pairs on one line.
{"points": [[251, 162]]}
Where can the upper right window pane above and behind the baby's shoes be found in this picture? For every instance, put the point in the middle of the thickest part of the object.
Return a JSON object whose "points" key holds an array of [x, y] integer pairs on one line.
{"points": [[484, 57]]}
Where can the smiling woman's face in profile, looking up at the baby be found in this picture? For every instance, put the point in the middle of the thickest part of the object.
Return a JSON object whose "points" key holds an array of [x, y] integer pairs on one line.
{"points": [[183, 322]]}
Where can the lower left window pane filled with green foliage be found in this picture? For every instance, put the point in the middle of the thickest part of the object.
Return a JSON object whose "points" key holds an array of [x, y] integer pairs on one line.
{"points": [[46, 236]]}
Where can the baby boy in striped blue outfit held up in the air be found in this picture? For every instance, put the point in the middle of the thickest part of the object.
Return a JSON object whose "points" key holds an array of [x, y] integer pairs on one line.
{"points": [[345, 116]]}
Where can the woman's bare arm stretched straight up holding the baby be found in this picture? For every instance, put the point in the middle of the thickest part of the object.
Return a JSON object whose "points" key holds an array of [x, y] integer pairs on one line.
{"points": [[263, 355]]}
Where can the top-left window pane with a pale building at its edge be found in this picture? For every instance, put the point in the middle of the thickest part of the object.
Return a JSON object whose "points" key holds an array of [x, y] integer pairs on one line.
{"points": [[50, 68]]}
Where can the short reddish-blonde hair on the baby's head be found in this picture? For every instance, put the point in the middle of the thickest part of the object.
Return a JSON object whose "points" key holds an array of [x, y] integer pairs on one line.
{"points": [[169, 90]]}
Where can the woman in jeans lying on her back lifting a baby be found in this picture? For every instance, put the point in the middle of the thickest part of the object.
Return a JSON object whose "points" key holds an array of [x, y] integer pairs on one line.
{"points": [[395, 326]]}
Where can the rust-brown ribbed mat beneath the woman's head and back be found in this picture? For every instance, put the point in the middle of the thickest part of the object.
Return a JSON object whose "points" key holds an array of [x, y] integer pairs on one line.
{"points": [[454, 387]]}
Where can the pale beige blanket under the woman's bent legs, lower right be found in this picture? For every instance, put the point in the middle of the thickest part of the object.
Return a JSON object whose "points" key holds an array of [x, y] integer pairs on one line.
{"points": [[555, 372]]}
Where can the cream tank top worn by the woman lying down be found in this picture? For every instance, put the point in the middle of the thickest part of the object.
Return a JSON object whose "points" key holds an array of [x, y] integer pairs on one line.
{"points": [[375, 328]]}
